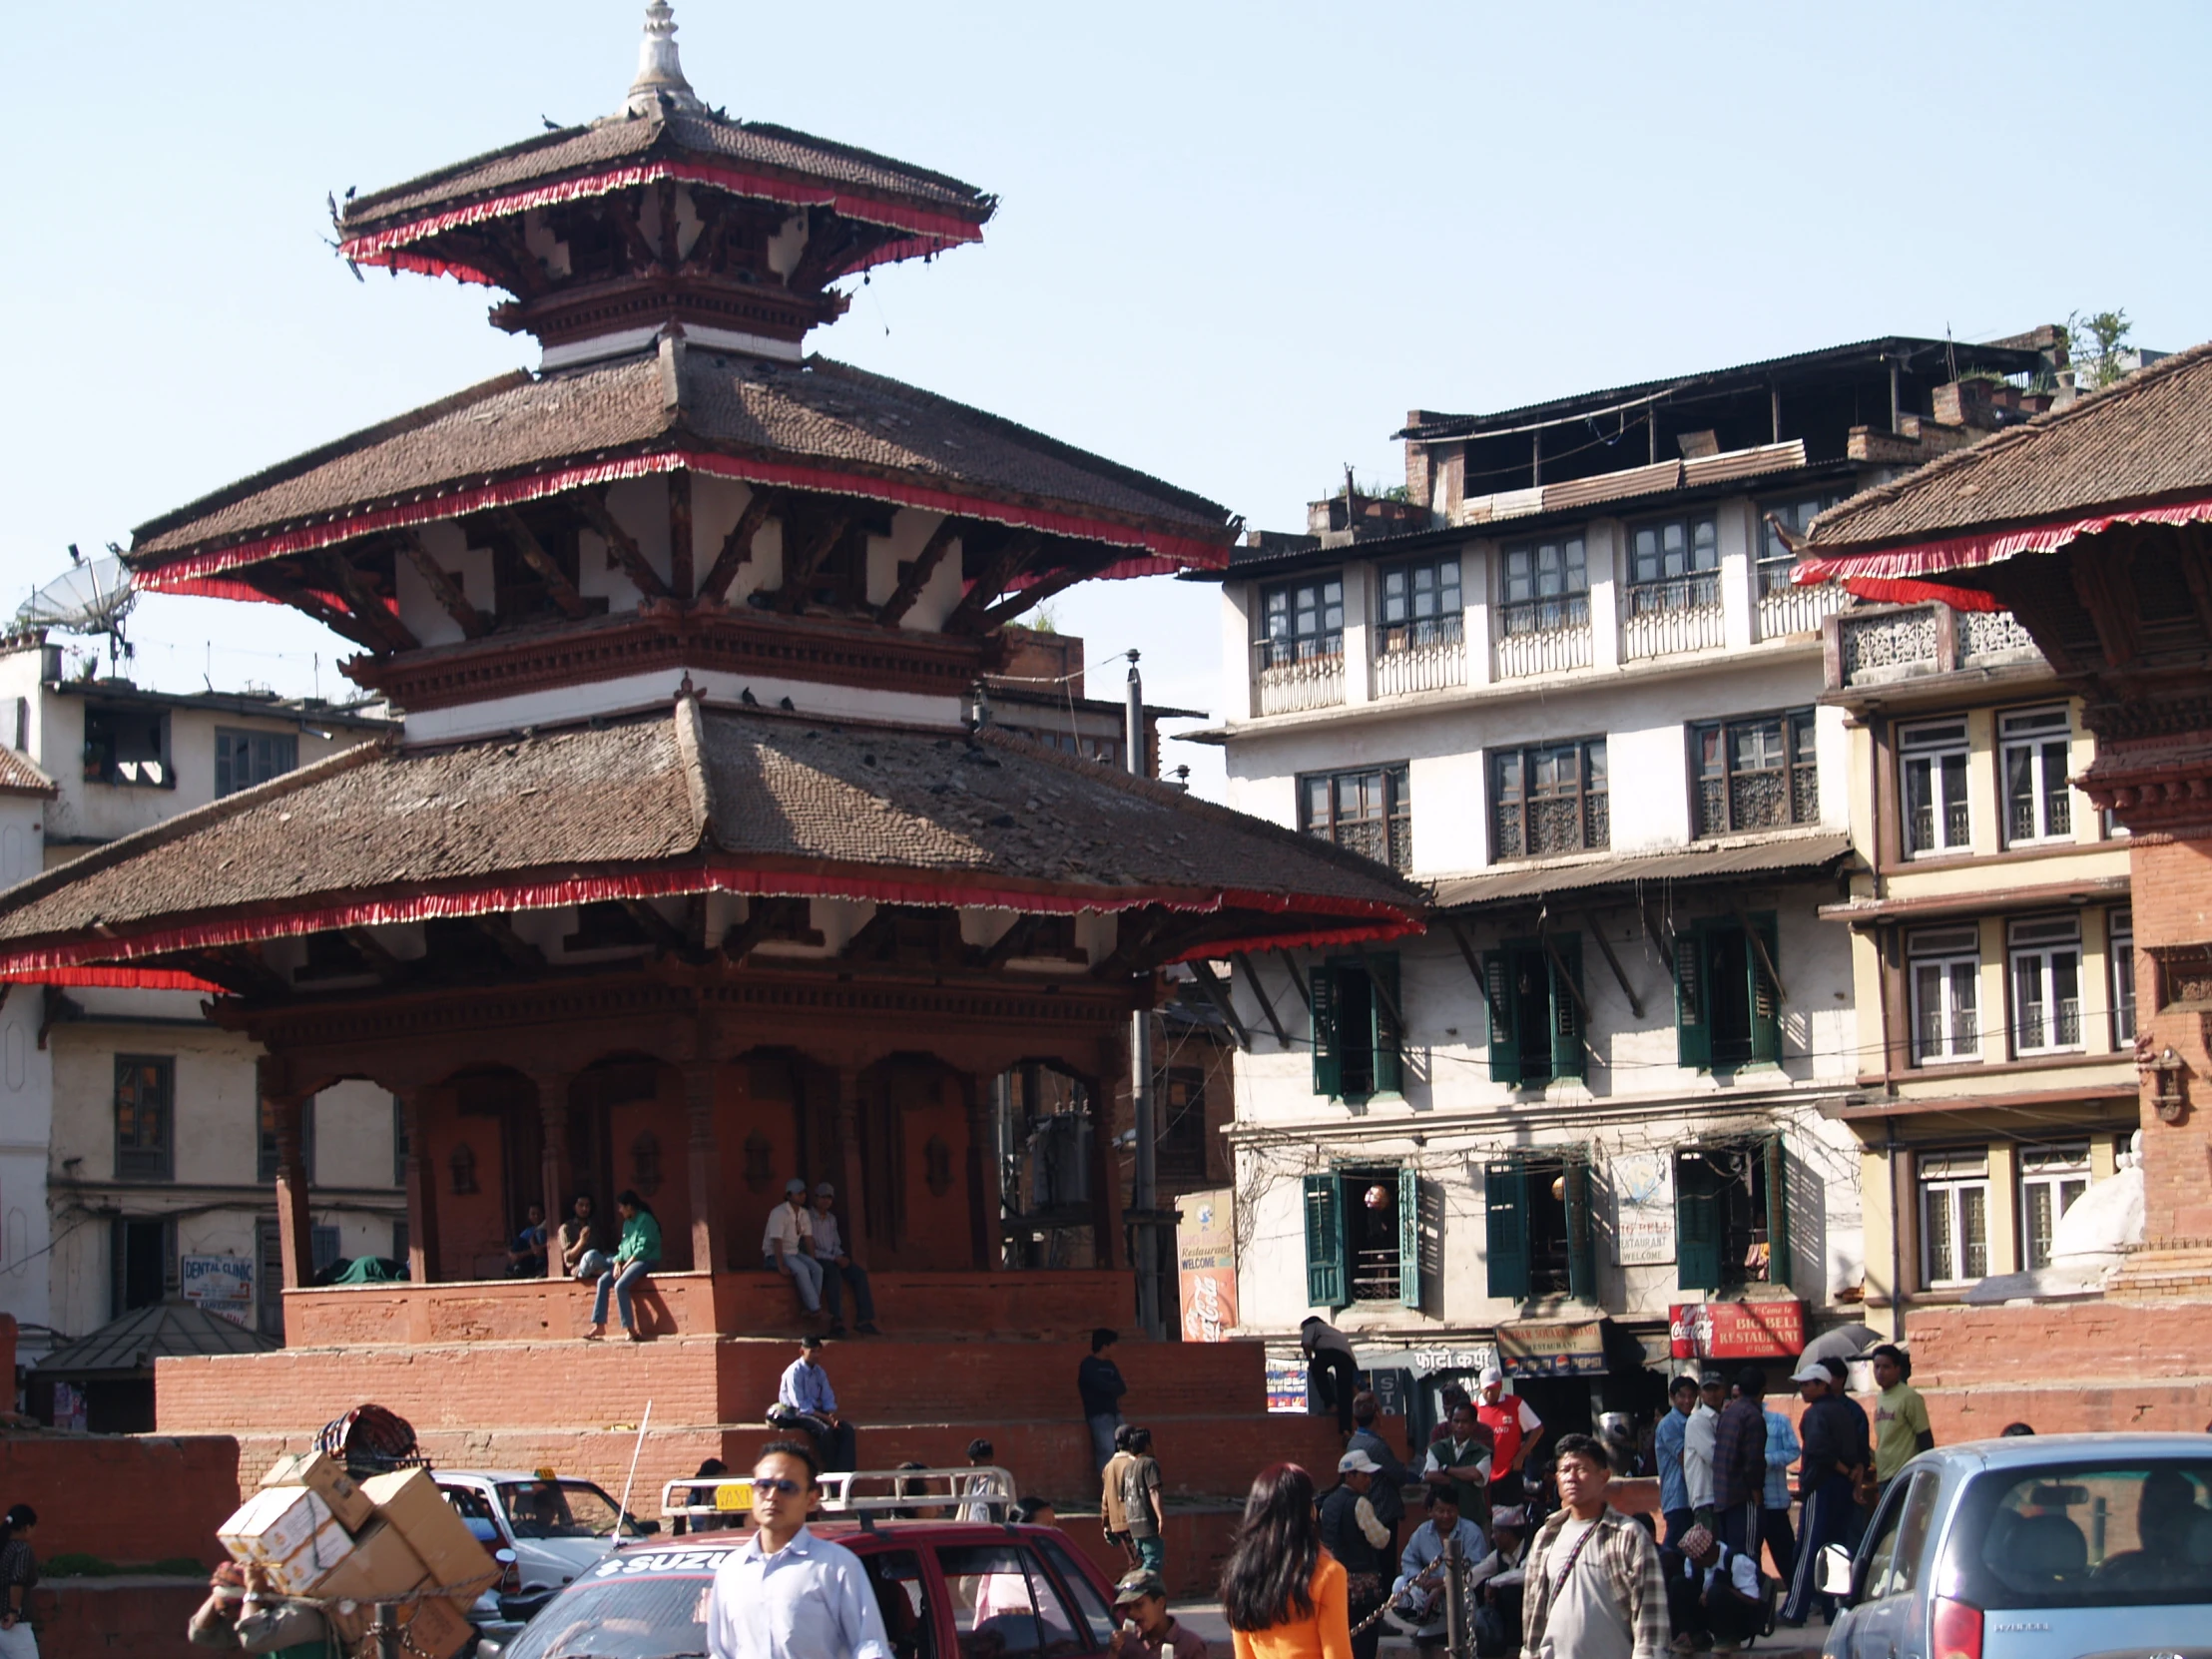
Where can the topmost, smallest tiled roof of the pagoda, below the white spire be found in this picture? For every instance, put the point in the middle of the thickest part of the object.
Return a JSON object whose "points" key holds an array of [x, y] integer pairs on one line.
{"points": [[618, 140]]}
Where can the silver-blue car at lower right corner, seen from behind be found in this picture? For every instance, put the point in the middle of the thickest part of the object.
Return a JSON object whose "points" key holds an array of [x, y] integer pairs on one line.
{"points": [[2043, 1547]]}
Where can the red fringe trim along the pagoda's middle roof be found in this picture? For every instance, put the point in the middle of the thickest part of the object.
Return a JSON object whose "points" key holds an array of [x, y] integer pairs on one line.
{"points": [[1162, 554]]}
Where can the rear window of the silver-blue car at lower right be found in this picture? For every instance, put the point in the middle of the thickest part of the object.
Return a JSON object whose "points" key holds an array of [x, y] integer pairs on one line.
{"points": [[2085, 1536]]}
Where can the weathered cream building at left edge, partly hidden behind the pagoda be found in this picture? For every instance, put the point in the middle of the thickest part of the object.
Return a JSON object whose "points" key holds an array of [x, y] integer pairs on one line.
{"points": [[134, 1160]]}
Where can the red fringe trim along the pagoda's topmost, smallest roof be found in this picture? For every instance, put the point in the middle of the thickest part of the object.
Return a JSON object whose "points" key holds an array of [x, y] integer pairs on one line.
{"points": [[930, 231]]}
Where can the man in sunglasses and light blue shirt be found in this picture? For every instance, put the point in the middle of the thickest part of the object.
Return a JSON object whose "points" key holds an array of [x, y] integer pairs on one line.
{"points": [[786, 1594]]}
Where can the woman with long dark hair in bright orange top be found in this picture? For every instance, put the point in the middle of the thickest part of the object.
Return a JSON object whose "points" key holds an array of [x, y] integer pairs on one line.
{"points": [[1282, 1592]]}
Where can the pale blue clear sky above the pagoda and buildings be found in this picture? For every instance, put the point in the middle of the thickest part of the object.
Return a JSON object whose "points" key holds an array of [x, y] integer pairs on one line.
{"points": [[1235, 242]]}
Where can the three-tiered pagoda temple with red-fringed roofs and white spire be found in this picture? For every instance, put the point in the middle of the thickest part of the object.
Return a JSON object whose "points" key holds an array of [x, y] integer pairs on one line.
{"points": [[698, 862]]}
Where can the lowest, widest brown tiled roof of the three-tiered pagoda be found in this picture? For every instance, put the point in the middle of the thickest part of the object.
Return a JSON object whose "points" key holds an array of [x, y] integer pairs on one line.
{"points": [[729, 800]]}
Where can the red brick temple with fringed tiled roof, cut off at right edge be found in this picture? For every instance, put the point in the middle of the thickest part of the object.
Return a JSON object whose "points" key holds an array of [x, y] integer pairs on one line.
{"points": [[2089, 528]]}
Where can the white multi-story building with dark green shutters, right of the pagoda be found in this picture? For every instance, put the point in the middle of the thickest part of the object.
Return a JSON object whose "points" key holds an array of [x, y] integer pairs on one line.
{"points": [[1569, 685]]}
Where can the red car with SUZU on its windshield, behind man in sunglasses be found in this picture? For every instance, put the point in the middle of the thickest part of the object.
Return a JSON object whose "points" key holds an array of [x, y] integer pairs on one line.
{"points": [[948, 1592]]}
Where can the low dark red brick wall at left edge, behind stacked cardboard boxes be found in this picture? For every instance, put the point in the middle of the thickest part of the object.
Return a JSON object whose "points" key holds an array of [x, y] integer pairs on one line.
{"points": [[123, 1499]]}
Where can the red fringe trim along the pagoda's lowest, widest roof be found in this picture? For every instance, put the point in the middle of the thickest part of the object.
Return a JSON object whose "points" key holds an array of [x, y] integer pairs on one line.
{"points": [[1366, 919]]}
